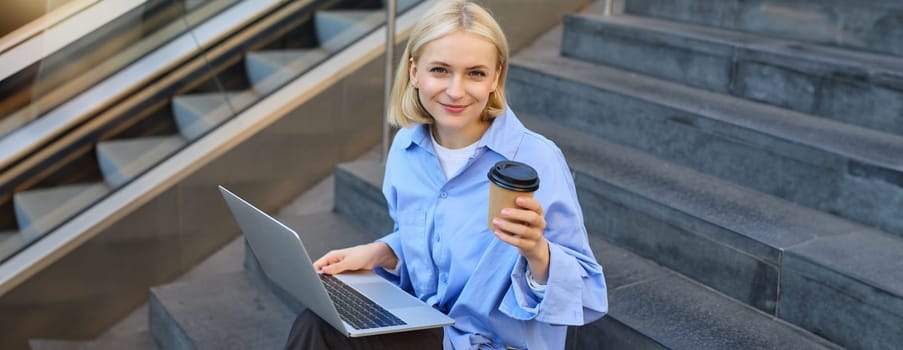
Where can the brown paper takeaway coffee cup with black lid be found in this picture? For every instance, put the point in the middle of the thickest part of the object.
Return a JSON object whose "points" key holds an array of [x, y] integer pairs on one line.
{"points": [[508, 180]]}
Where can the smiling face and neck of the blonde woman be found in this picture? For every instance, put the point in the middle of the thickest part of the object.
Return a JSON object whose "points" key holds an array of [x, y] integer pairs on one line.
{"points": [[454, 76]]}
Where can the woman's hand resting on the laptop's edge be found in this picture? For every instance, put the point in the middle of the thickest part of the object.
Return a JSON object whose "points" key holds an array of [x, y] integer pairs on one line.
{"points": [[365, 256]]}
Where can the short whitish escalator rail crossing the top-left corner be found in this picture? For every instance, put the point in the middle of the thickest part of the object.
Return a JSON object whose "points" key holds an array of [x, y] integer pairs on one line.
{"points": [[54, 38]]}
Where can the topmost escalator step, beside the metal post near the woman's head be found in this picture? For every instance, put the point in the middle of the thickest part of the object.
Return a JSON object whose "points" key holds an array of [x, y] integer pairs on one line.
{"points": [[338, 28]]}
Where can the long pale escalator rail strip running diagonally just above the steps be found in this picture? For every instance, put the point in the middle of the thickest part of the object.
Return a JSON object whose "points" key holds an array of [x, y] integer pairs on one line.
{"points": [[28, 138]]}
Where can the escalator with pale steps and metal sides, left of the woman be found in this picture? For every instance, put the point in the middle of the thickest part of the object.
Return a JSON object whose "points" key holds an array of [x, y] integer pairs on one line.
{"points": [[83, 122]]}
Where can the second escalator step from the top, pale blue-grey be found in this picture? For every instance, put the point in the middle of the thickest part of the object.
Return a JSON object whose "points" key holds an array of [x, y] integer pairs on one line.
{"points": [[269, 70]]}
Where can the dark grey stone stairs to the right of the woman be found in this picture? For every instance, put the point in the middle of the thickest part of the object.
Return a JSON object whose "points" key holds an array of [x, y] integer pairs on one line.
{"points": [[765, 169]]}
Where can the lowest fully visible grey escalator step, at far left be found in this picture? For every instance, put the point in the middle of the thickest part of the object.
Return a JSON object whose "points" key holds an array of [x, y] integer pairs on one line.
{"points": [[39, 211]]}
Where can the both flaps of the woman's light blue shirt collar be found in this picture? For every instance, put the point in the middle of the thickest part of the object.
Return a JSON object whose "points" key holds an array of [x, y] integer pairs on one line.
{"points": [[503, 136]]}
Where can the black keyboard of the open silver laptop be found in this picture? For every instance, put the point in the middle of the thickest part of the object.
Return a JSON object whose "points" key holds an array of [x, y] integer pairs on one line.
{"points": [[356, 309]]}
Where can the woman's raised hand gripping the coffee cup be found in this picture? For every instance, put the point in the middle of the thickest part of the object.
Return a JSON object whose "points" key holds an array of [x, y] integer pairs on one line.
{"points": [[522, 227]]}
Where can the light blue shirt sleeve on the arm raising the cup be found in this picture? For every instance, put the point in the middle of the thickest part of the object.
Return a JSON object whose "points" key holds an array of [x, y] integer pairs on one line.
{"points": [[575, 293]]}
